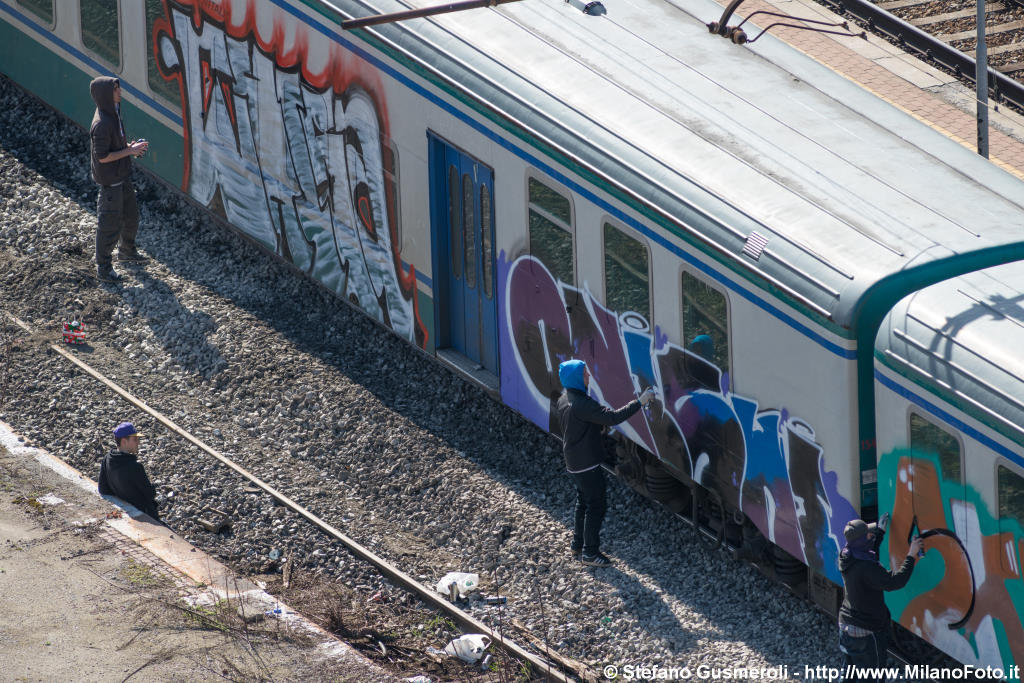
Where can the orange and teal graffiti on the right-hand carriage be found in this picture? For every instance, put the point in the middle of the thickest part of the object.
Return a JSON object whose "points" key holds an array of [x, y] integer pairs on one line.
{"points": [[967, 591]]}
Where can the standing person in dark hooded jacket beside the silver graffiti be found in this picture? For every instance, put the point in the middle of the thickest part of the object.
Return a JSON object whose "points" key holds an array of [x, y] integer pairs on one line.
{"points": [[112, 153]]}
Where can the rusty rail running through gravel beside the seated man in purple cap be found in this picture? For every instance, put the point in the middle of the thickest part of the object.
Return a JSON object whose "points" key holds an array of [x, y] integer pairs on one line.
{"points": [[551, 671]]}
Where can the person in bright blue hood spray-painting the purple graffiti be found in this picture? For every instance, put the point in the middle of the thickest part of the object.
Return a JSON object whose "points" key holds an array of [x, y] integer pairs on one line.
{"points": [[583, 420]]}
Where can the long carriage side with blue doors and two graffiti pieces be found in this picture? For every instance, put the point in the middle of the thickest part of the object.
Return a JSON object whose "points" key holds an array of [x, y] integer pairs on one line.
{"points": [[373, 175]]}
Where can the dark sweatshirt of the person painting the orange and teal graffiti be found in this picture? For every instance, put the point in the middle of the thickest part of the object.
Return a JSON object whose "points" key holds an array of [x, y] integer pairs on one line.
{"points": [[867, 581]]}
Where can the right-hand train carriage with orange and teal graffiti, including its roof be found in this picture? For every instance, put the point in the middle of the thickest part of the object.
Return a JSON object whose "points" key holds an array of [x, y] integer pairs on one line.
{"points": [[949, 383]]}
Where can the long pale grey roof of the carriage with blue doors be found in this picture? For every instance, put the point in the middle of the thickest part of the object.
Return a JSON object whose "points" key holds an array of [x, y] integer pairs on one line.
{"points": [[716, 142]]}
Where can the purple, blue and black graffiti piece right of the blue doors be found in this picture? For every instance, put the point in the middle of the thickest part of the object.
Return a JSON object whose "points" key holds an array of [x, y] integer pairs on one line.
{"points": [[766, 461]]}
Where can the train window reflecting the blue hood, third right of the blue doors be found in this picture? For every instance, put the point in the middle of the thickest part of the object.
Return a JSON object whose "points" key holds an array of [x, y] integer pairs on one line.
{"points": [[706, 321]]}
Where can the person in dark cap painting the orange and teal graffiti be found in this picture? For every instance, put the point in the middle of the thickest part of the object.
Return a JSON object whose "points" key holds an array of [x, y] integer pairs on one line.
{"points": [[865, 619]]}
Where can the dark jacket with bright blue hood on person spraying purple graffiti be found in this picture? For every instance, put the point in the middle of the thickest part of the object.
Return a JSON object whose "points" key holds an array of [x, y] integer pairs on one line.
{"points": [[583, 419]]}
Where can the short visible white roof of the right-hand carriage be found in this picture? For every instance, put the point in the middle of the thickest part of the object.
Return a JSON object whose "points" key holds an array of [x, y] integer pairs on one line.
{"points": [[962, 340]]}
